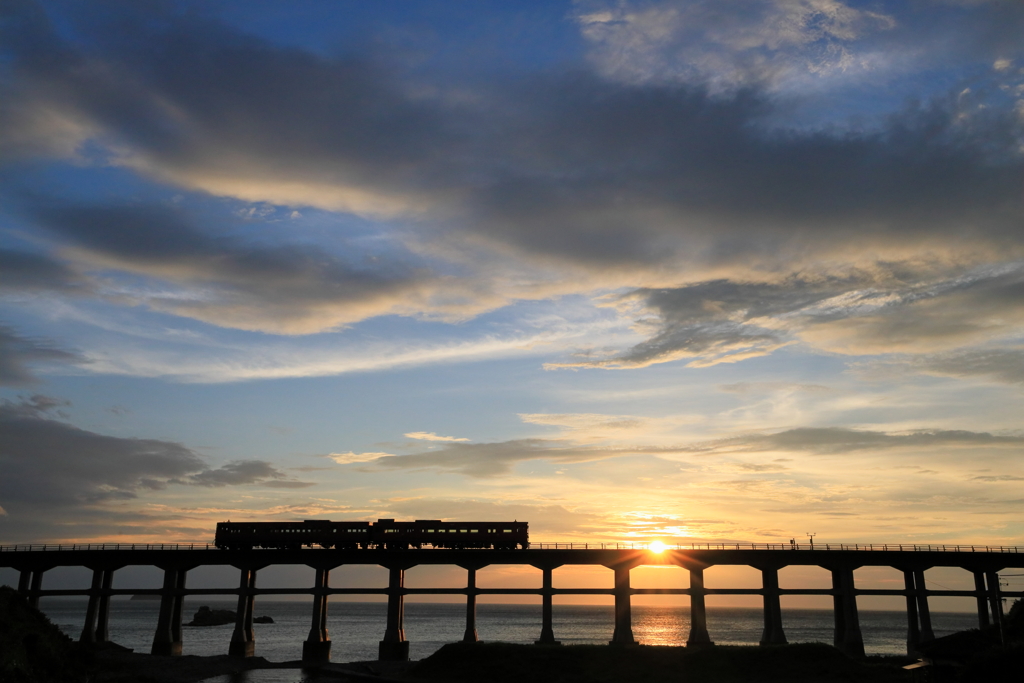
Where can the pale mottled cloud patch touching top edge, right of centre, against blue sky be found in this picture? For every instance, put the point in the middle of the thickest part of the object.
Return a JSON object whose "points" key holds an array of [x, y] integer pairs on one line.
{"points": [[763, 42]]}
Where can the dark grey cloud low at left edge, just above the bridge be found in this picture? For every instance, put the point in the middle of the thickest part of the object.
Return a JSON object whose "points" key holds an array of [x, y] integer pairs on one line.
{"points": [[50, 463]]}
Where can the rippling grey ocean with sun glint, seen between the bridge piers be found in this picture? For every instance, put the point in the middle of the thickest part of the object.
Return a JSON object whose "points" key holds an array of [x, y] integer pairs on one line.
{"points": [[356, 628]]}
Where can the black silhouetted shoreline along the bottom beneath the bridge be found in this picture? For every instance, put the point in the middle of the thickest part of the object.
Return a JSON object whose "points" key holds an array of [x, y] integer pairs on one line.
{"points": [[34, 651]]}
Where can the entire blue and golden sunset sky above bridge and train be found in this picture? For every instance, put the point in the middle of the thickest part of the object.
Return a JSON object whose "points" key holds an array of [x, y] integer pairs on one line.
{"points": [[625, 270]]}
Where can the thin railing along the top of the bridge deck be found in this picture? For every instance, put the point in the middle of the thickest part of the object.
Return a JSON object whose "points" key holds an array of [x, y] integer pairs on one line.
{"points": [[888, 547]]}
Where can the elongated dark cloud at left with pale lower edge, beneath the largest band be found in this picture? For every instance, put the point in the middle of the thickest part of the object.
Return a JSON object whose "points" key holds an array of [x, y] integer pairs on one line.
{"points": [[223, 280]]}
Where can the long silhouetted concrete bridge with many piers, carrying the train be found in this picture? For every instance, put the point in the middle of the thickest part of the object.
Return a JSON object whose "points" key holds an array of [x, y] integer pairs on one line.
{"points": [[177, 561]]}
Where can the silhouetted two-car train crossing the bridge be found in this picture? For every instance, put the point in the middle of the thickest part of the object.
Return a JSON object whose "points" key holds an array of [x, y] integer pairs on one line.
{"points": [[383, 535]]}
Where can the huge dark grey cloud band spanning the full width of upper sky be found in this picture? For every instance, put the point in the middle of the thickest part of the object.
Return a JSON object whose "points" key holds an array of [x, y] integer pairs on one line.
{"points": [[567, 165]]}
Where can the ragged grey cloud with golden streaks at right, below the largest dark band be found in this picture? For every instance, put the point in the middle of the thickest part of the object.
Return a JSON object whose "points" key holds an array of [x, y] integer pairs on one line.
{"points": [[878, 311]]}
